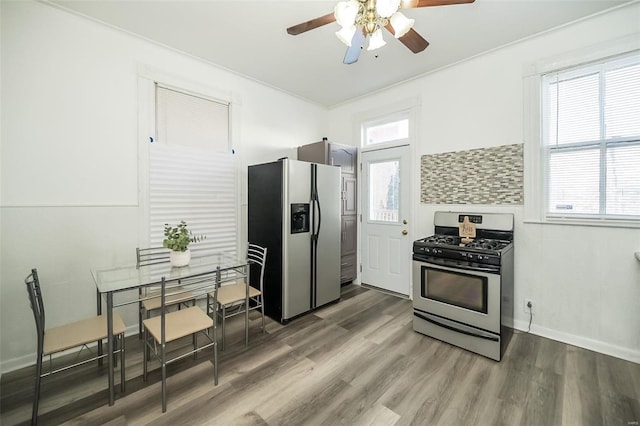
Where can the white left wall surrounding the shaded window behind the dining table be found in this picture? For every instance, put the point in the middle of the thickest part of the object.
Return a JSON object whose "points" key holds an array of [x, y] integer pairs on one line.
{"points": [[69, 147]]}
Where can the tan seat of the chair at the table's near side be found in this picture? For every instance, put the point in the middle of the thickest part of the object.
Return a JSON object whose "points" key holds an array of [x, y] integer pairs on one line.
{"points": [[178, 324]]}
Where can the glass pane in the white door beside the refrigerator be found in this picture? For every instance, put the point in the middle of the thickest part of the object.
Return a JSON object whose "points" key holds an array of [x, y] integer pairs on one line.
{"points": [[384, 191]]}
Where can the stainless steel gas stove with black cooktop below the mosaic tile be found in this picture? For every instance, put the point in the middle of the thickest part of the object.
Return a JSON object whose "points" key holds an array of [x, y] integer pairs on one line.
{"points": [[463, 292]]}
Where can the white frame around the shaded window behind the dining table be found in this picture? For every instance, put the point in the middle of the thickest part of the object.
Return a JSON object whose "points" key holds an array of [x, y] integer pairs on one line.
{"points": [[147, 80]]}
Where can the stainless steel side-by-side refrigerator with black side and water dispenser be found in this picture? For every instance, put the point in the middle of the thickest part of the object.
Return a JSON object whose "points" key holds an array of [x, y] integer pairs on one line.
{"points": [[294, 211]]}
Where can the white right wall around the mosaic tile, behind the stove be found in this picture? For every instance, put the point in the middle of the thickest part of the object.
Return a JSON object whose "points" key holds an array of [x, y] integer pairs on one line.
{"points": [[584, 281]]}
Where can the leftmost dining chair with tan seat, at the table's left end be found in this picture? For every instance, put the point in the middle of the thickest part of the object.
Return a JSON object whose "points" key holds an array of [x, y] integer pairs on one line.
{"points": [[79, 334]]}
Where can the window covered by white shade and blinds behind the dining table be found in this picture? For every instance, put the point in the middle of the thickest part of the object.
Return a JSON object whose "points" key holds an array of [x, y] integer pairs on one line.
{"points": [[192, 172]]}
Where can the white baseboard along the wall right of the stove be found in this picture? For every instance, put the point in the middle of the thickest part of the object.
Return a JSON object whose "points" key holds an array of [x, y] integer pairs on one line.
{"points": [[582, 342]]}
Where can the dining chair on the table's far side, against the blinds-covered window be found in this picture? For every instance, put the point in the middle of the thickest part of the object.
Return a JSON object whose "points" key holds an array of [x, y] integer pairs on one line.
{"points": [[150, 297]]}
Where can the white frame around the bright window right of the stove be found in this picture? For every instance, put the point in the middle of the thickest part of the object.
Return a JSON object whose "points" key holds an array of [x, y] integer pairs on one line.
{"points": [[535, 161]]}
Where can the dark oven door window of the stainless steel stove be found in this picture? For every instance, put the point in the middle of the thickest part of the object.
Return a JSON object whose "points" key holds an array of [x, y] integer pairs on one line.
{"points": [[455, 288]]}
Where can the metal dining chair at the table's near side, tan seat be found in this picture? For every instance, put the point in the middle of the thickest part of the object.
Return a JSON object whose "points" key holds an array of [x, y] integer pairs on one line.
{"points": [[171, 326]]}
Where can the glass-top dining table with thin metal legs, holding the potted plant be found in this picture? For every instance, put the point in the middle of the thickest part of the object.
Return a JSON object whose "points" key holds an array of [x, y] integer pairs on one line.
{"points": [[129, 277]]}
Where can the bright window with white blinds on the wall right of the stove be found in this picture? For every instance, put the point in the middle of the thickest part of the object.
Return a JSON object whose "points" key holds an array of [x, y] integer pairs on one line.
{"points": [[591, 140]]}
